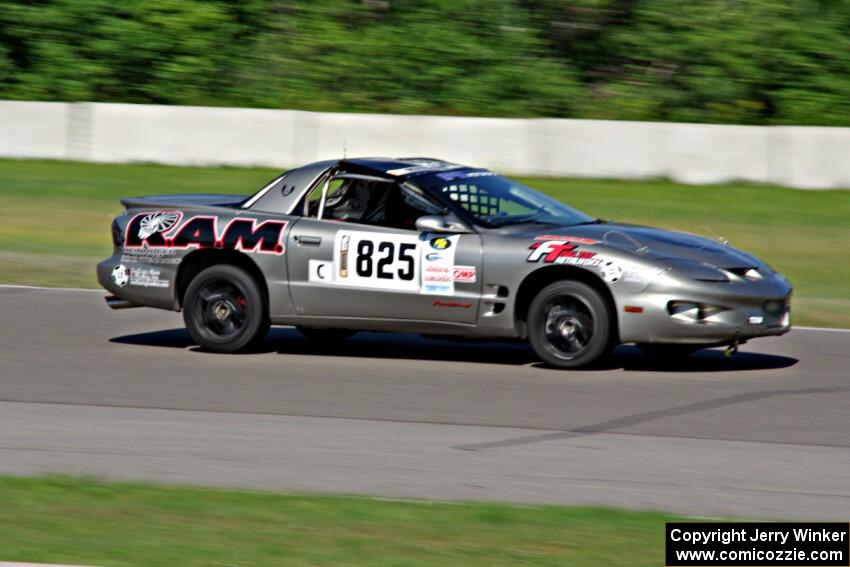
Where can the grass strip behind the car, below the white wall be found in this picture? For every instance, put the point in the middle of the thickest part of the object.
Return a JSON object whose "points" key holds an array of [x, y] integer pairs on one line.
{"points": [[55, 218]]}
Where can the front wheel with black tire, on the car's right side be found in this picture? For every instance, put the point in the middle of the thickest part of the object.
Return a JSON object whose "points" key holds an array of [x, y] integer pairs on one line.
{"points": [[569, 325]]}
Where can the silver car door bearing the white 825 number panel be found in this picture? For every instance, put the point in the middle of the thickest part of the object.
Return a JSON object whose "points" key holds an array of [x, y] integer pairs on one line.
{"points": [[342, 269]]}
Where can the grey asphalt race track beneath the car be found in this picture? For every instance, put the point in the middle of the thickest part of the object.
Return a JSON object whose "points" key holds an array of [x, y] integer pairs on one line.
{"points": [[125, 395]]}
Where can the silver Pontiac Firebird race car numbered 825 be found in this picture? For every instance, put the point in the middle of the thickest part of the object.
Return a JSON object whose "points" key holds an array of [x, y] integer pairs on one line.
{"points": [[425, 246]]}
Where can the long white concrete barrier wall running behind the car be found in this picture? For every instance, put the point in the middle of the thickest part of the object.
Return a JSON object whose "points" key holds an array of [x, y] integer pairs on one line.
{"points": [[804, 157]]}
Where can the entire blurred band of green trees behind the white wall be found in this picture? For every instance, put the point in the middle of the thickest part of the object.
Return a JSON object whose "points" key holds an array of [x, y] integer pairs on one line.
{"points": [[738, 61]]}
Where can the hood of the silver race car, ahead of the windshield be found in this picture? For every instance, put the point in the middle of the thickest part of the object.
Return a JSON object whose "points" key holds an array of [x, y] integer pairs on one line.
{"points": [[650, 243]]}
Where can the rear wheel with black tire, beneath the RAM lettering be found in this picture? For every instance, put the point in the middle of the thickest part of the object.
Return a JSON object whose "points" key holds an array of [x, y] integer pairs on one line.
{"points": [[225, 310]]}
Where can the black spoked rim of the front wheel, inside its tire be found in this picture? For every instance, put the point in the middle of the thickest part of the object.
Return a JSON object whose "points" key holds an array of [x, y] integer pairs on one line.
{"points": [[567, 326]]}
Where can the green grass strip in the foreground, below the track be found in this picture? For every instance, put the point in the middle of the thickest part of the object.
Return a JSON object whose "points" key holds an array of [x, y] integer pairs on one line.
{"points": [[84, 522]]}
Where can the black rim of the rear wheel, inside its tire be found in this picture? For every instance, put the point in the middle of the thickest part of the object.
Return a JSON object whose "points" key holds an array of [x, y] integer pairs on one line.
{"points": [[223, 309]]}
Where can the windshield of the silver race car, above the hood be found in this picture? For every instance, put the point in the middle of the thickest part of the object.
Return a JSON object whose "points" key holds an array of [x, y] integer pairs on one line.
{"points": [[494, 201]]}
